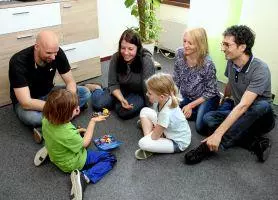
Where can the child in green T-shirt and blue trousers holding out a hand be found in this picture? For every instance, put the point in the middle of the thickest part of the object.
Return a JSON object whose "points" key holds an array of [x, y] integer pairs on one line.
{"points": [[65, 146]]}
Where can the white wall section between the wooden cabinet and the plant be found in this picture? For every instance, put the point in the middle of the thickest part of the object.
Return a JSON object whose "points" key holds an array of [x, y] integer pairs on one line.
{"points": [[113, 19]]}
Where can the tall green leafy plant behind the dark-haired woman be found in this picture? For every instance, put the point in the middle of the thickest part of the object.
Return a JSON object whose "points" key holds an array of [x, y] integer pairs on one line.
{"points": [[145, 12]]}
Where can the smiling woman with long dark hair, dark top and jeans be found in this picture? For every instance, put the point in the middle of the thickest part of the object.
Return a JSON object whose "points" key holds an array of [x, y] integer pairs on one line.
{"points": [[128, 69]]}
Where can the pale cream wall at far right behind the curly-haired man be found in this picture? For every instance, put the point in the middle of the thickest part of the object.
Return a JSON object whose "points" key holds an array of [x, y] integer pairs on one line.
{"points": [[262, 17]]}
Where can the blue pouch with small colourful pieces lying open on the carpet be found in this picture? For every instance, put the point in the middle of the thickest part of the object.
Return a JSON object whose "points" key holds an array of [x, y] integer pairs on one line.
{"points": [[107, 142]]}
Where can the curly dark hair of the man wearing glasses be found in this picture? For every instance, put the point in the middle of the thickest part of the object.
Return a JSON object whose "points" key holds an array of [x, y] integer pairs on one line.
{"points": [[243, 35]]}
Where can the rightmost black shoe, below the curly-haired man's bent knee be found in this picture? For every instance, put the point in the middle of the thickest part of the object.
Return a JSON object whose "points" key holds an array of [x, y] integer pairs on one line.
{"points": [[261, 147]]}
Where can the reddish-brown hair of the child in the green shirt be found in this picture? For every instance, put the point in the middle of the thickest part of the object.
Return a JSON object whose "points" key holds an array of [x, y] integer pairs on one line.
{"points": [[59, 106]]}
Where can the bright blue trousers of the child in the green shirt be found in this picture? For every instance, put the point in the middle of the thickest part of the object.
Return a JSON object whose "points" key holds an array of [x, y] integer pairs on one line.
{"points": [[98, 163]]}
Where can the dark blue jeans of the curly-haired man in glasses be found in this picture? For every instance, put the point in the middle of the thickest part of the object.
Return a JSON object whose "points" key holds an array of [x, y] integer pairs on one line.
{"points": [[256, 121]]}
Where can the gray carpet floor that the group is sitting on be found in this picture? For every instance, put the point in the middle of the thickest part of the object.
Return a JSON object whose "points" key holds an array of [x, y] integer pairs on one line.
{"points": [[233, 174]]}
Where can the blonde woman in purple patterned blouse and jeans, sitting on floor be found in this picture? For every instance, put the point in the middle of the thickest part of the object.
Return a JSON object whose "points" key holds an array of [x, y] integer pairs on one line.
{"points": [[195, 76]]}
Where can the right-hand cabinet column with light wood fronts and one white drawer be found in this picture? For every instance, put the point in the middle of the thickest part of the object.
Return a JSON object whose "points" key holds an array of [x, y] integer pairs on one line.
{"points": [[80, 38]]}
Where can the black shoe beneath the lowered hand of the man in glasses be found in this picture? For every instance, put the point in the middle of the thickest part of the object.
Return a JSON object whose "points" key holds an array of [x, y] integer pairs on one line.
{"points": [[197, 155]]}
